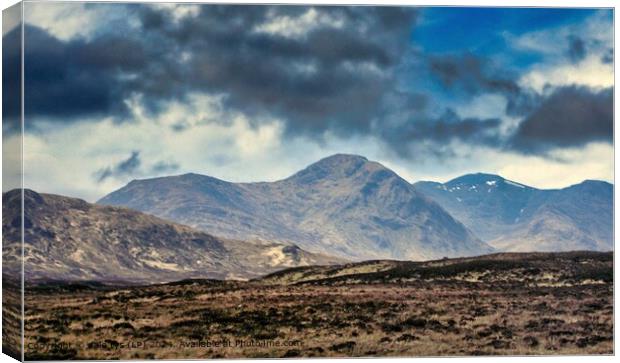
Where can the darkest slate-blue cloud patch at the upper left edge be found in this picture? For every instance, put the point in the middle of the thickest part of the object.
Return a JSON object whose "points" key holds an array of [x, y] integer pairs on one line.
{"points": [[66, 80]]}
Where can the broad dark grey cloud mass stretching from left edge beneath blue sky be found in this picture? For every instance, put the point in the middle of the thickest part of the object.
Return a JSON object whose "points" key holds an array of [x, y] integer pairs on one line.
{"points": [[344, 74]]}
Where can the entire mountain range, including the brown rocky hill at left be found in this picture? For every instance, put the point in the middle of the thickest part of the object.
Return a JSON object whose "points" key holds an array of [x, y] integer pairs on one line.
{"points": [[341, 208]]}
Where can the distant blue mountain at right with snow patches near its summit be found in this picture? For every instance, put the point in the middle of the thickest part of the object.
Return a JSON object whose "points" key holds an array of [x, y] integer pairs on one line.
{"points": [[515, 217]]}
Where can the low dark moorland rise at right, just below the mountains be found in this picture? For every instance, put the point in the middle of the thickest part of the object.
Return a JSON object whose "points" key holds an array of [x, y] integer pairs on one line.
{"points": [[563, 268]]}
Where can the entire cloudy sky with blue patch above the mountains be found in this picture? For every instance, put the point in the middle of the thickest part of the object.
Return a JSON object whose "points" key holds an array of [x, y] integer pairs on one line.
{"points": [[116, 92]]}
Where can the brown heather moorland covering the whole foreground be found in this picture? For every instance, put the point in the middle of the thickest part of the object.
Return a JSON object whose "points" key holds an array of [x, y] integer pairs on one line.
{"points": [[515, 304]]}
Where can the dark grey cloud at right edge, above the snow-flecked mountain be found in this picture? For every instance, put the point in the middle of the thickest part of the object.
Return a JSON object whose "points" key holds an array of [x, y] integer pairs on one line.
{"points": [[569, 117]]}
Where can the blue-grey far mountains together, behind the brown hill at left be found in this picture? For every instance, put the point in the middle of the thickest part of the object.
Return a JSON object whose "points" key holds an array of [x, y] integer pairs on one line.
{"points": [[348, 206]]}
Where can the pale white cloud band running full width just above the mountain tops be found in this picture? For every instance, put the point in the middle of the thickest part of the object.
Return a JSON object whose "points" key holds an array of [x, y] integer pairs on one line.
{"points": [[62, 158]]}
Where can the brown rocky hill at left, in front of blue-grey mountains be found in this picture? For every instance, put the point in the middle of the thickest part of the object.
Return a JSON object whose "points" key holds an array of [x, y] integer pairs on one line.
{"points": [[70, 239]]}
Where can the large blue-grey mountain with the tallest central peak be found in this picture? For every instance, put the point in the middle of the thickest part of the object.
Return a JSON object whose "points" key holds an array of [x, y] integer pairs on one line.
{"points": [[343, 205]]}
